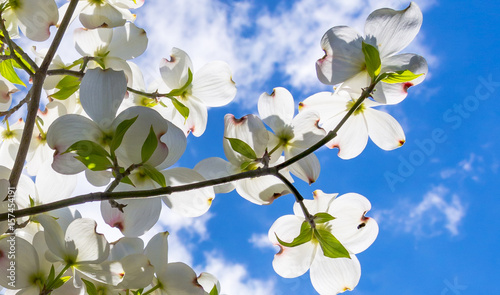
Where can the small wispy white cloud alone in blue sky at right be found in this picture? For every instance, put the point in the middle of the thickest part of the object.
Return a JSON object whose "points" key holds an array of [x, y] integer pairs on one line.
{"points": [[437, 211]]}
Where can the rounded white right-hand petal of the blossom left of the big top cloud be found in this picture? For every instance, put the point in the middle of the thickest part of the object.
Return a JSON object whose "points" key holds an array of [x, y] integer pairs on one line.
{"points": [[213, 84]]}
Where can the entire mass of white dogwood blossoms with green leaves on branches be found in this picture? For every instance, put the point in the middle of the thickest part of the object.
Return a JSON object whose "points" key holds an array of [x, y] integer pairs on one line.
{"points": [[102, 119]]}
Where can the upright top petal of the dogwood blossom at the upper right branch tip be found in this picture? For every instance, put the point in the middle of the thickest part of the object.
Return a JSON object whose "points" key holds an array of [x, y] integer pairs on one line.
{"points": [[391, 30]]}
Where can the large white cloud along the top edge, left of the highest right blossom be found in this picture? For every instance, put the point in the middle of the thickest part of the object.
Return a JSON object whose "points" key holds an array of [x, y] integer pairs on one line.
{"points": [[256, 42]]}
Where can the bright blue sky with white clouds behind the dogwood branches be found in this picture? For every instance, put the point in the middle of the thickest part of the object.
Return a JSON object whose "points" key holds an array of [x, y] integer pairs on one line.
{"points": [[435, 199]]}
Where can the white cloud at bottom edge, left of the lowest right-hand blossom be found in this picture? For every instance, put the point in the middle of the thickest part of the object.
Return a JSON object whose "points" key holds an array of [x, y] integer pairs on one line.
{"points": [[234, 277]]}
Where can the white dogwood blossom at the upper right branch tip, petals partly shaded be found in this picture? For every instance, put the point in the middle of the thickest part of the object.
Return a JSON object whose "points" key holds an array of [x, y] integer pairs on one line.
{"points": [[387, 30]]}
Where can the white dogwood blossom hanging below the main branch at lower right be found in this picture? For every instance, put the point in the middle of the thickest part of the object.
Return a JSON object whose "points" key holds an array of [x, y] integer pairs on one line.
{"points": [[350, 227]]}
